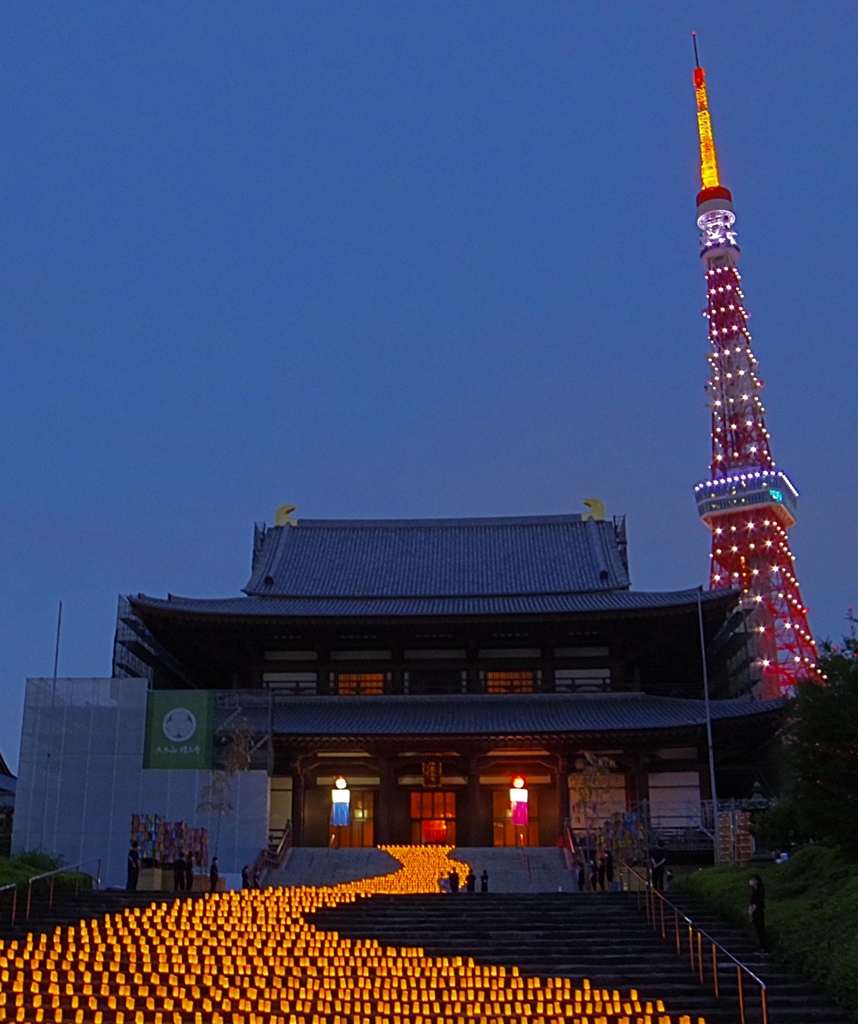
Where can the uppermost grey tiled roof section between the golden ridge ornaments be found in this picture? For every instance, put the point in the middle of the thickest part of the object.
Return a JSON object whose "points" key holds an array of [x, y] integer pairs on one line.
{"points": [[441, 559]]}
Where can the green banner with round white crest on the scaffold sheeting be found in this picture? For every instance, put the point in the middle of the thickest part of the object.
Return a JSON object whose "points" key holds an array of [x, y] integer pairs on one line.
{"points": [[180, 729]]}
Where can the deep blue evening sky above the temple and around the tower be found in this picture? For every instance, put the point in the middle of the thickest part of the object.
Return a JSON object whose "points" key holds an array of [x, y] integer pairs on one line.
{"points": [[394, 259]]}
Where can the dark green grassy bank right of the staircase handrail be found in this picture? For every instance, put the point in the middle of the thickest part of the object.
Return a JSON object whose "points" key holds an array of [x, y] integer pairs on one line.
{"points": [[811, 914]]}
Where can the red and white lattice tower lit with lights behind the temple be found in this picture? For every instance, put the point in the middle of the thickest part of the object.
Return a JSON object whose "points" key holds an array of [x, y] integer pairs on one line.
{"points": [[747, 502]]}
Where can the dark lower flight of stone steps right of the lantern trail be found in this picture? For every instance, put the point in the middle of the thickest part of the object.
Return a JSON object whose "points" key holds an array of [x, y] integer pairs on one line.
{"points": [[604, 937]]}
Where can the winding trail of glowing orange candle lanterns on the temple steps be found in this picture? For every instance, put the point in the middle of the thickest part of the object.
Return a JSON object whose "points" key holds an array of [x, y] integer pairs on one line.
{"points": [[252, 958]]}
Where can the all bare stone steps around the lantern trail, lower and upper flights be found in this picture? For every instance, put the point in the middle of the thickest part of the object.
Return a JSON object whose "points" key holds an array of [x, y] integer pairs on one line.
{"points": [[524, 922]]}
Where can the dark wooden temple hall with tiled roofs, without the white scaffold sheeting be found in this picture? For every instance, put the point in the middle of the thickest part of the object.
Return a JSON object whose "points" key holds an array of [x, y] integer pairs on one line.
{"points": [[430, 663]]}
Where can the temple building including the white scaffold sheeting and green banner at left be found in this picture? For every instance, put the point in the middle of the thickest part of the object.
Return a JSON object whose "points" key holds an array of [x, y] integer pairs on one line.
{"points": [[426, 663]]}
